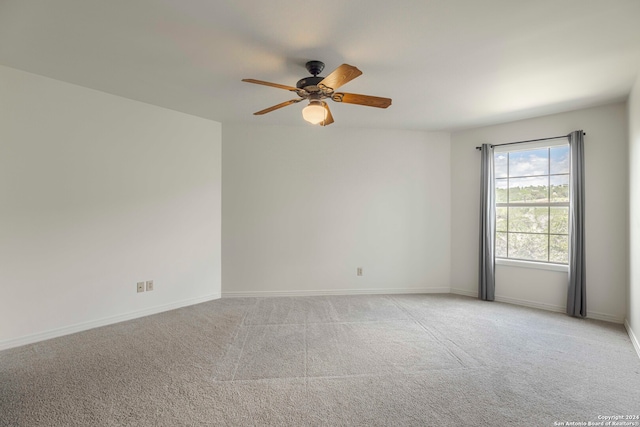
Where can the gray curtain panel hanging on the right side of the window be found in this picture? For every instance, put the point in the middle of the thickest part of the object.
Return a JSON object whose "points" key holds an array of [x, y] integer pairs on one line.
{"points": [[577, 295]]}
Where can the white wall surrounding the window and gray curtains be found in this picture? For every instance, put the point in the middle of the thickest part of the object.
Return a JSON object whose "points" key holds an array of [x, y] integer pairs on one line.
{"points": [[606, 216]]}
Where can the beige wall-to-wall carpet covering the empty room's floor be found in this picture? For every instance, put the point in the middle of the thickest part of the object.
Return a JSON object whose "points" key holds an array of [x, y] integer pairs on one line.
{"points": [[440, 360]]}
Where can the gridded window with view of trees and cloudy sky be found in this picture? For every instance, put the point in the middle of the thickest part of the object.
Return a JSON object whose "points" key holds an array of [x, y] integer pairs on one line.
{"points": [[532, 203]]}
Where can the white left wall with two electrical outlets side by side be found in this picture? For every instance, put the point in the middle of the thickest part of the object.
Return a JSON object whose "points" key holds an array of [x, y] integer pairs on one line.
{"points": [[98, 192]]}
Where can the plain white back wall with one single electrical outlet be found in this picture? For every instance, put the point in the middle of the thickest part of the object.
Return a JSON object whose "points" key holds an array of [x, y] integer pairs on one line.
{"points": [[304, 206]]}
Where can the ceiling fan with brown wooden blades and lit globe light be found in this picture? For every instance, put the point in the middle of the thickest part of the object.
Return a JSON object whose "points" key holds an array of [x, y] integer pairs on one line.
{"points": [[316, 89]]}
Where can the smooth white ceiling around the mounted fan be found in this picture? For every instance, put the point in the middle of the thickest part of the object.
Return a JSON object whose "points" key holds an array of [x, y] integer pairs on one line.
{"points": [[447, 64]]}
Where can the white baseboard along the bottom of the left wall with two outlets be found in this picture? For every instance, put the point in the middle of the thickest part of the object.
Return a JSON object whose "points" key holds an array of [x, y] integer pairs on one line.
{"points": [[79, 327]]}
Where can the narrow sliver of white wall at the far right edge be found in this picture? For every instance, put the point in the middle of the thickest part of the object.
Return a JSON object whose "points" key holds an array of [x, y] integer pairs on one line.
{"points": [[633, 297]]}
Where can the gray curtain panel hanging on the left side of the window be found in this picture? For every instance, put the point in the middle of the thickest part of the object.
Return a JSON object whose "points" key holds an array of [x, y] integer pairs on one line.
{"points": [[486, 277]]}
